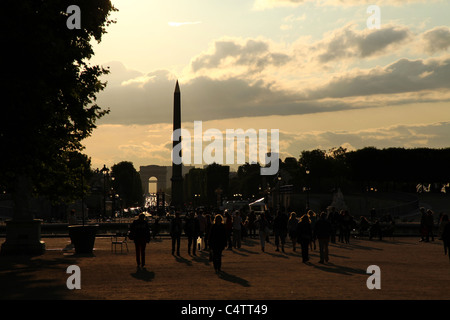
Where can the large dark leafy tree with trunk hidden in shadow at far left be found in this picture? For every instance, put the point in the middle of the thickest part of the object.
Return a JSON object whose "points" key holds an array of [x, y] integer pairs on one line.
{"points": [[48, 91]]}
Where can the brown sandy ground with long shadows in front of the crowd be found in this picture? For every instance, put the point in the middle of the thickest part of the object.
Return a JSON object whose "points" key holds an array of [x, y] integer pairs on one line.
{"points": [[410, 270]]}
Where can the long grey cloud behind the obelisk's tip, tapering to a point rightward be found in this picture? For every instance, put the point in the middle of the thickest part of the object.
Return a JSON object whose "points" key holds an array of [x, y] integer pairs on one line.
{"points": [[203, 98]]}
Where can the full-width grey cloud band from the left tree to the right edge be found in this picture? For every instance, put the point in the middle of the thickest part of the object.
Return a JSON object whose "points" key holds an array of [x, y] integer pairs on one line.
{"points": [[204, 98]]}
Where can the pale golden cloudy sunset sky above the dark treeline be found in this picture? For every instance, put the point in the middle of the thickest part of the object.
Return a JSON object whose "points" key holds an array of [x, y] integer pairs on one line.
{"points": [[318, 71]]}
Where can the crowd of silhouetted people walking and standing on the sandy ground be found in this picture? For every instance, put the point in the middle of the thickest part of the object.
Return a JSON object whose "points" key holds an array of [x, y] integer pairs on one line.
{"points": [[216, 232]]}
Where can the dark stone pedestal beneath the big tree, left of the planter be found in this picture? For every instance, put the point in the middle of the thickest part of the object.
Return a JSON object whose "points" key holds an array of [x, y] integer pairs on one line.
{"points": [[23, 237]]}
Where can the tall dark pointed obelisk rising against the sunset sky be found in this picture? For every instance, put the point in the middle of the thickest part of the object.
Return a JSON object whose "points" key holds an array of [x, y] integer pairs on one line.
{"points": [[177, 177]]}
